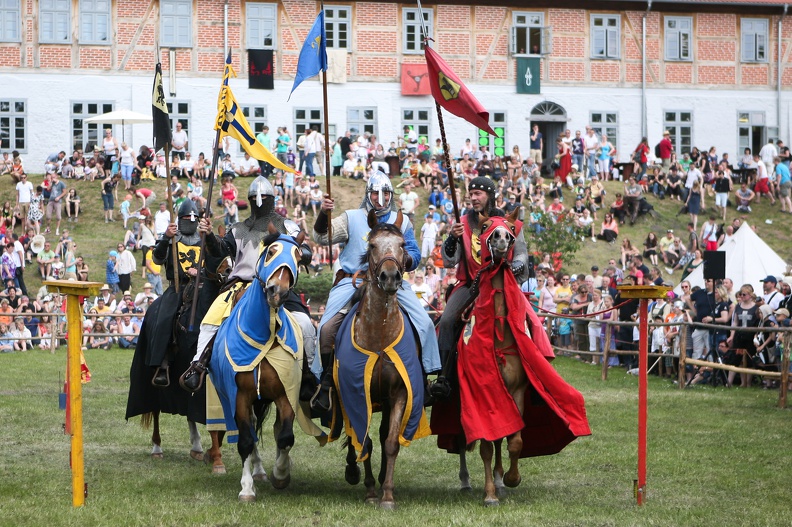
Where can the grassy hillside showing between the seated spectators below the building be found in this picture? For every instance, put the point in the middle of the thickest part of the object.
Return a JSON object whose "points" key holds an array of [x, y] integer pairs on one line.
{"points": [[94, 238]]}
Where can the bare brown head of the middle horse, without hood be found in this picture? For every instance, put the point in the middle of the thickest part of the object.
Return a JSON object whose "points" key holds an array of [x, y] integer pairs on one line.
{"points": [[386, 254]]}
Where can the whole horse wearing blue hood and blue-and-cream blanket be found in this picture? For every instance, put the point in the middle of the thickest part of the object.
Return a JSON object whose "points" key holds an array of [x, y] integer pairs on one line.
{"points": [[257, 360]]}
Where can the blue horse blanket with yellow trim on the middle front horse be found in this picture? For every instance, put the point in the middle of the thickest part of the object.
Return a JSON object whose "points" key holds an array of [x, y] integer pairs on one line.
{"points": [[353, 371]]}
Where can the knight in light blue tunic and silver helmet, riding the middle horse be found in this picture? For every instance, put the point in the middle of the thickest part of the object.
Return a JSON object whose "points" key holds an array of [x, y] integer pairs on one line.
{"points": [[351, 228]]}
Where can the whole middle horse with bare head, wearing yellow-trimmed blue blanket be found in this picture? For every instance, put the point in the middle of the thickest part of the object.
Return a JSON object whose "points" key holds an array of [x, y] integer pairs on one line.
{"points": [[378, 366]]}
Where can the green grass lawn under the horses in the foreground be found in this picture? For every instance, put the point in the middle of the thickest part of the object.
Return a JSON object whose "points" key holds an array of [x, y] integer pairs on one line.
{"points": [[716, 457]]}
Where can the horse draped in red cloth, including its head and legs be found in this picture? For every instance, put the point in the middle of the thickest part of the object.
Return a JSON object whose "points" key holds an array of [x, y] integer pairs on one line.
{"points": [[508, 390]]}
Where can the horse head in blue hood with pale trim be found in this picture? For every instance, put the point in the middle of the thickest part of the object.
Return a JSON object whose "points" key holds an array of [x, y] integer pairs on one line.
{"points": [[277, 267]]}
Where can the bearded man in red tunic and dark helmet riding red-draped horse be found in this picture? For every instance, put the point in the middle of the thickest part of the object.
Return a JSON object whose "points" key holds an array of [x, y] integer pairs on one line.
{"points": [[464, 248]]}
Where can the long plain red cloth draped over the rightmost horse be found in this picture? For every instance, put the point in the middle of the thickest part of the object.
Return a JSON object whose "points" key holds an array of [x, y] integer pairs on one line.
{"points": [[554, 412]]}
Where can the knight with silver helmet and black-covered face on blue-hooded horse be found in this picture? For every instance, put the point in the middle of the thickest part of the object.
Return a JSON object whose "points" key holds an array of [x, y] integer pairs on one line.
{"points": [[242, 242]]}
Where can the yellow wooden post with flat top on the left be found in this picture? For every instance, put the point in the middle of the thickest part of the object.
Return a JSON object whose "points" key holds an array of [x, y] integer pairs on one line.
{"points": [[73, 290]]}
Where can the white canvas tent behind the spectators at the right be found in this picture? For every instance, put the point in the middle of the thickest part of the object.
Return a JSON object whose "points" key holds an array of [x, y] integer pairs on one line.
{"points": [[748, 260]]}
